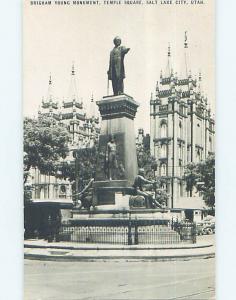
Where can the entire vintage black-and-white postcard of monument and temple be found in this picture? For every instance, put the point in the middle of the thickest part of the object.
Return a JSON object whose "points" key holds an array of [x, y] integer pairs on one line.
{"points": [[119, 149]]}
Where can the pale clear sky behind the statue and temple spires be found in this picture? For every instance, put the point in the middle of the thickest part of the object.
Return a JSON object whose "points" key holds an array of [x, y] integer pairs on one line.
{"points": [[55, 36]]}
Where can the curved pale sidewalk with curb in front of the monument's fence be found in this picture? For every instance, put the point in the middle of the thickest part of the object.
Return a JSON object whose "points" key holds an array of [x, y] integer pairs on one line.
{"points": [[41, 249]]}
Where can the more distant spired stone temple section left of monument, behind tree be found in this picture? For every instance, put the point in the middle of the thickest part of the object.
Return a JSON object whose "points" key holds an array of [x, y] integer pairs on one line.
{"points": [[83, 126]]}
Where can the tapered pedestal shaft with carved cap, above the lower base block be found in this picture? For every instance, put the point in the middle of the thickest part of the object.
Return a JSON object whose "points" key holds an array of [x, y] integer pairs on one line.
{"points": [[118, 113]]}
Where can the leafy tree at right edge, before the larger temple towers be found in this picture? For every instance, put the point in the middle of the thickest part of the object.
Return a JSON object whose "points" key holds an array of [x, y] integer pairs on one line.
{"points": [[202, 177]]}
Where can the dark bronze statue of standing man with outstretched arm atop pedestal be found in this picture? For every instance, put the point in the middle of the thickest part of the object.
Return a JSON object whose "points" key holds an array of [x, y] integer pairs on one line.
{"points": [[116, 72]]}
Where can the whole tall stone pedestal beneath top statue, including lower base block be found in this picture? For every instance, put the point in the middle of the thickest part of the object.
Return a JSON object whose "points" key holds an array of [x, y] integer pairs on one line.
{"points": [[118, 113]]}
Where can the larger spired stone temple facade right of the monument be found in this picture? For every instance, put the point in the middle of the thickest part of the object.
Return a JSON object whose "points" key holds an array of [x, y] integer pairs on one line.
{"points": [[182, 126]]}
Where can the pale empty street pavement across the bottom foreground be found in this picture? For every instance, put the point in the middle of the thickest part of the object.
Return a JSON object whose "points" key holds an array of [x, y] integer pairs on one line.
{"points": [[119, 279]]}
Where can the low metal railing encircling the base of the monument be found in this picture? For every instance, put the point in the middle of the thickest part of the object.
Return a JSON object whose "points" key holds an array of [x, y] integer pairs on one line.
{"points": [[128, 231]]}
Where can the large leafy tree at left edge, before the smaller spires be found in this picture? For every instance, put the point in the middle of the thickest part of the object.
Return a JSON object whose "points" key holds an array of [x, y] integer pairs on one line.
{"points": [[45, 143]]}
